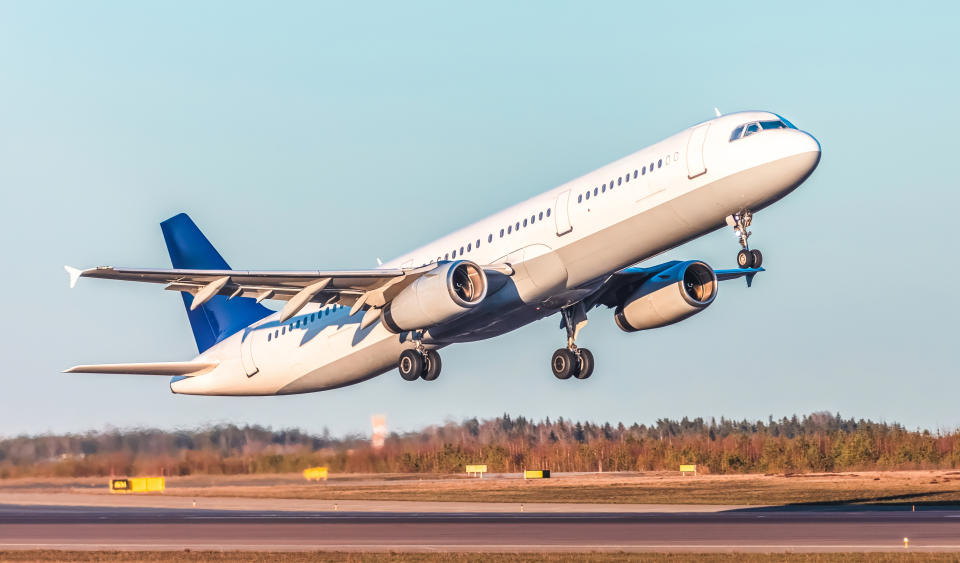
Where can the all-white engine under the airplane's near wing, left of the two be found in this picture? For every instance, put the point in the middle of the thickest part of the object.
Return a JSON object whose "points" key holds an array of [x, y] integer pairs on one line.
{"points": [[439, 296]]}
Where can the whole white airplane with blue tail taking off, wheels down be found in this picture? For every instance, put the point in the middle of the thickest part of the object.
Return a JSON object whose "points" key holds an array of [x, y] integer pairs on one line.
{"points": [[567, 251]]}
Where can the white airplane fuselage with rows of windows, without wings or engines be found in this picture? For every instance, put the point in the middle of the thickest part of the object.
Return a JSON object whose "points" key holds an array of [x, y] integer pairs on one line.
{"points": [[561, 245]]}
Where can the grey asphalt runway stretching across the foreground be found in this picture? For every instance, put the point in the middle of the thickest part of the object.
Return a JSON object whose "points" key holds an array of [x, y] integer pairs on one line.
{"points": [[766, 529]]}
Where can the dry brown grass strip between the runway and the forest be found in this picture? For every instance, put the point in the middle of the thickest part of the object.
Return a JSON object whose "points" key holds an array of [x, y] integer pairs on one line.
{"points": [[892, 487]]}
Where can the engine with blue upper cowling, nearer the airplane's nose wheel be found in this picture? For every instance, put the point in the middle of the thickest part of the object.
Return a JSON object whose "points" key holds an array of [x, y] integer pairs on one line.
{"points": [[668, 297]]}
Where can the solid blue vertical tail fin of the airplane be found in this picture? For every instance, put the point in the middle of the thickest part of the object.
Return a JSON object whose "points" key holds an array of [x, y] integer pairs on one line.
{"points": [[219, 317]]}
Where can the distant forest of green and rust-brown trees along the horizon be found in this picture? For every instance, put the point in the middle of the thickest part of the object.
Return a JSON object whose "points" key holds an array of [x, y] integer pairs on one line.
{"points": [[815, 443]]}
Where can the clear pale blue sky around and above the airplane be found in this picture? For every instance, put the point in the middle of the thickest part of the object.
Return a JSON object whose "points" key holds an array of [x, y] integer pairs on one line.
{"points": [[300, 135]]}
